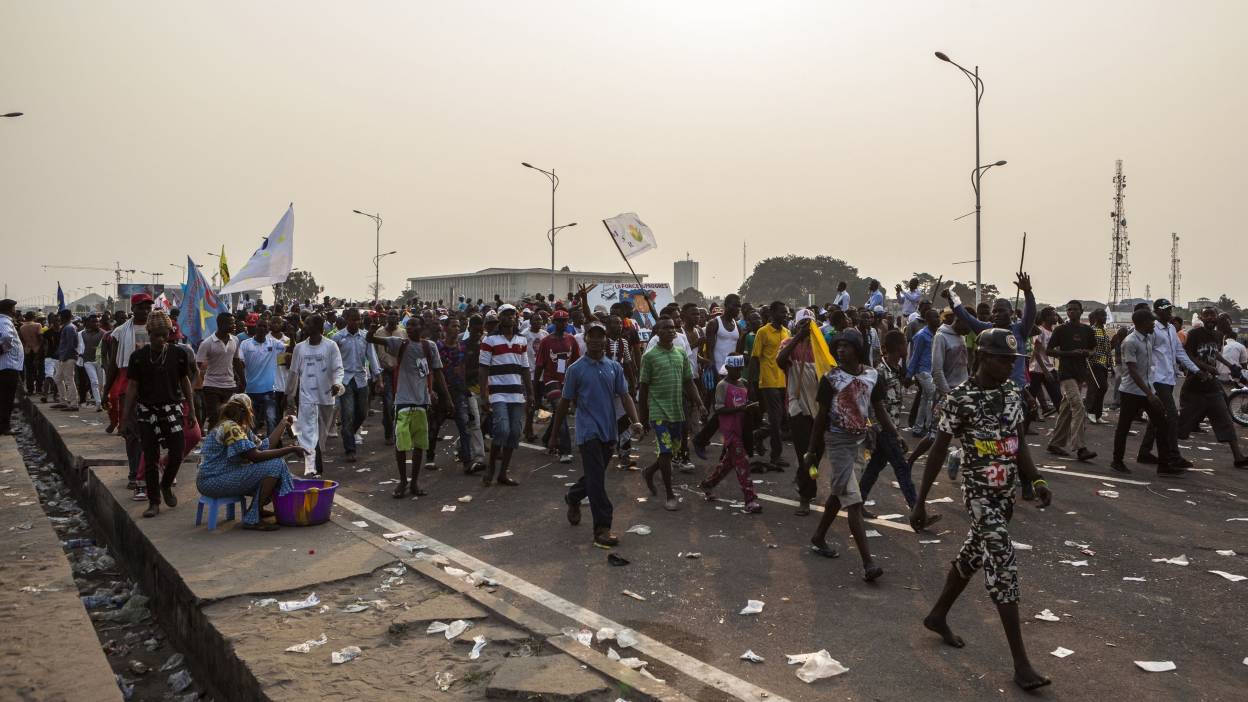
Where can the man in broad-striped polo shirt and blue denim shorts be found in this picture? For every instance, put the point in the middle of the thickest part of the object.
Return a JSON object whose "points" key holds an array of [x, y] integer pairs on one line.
{"points": [[506, 389]]}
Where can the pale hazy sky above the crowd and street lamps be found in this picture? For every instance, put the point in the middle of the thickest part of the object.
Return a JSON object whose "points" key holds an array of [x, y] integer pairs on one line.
{"points": [[155, 131]]}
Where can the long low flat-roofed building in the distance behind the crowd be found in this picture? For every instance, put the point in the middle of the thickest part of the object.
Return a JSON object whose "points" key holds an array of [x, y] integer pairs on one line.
{"points": [[509, 284]]}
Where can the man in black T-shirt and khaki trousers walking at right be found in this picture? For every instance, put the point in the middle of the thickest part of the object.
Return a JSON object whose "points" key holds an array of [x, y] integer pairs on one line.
{"points": [[1073, 344]]}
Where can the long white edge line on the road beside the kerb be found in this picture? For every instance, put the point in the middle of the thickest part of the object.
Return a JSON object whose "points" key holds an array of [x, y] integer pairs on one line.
{"points": [[683, 663]]}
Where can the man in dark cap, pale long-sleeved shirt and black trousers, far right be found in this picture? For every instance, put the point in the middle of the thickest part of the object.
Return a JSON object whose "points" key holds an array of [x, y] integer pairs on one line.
{"points": [[1168, 352]]}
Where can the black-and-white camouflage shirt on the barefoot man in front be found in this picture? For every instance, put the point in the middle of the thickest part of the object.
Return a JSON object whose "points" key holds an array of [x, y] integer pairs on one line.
{"points": [[989, 423]]}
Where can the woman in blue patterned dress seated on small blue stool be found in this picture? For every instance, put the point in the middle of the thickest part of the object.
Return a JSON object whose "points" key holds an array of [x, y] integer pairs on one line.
{"points": [[234, 463]]}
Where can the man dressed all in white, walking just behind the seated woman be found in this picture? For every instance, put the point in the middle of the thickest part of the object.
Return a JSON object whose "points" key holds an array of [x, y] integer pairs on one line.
{"points": [[315, 383]]}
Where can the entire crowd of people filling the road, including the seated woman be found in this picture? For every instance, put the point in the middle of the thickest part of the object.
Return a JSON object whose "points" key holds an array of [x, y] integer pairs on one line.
{"points": [[831, 382]]}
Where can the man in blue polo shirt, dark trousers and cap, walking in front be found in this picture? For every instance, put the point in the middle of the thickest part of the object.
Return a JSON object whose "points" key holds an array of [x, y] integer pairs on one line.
{"points": [[596, 384]]}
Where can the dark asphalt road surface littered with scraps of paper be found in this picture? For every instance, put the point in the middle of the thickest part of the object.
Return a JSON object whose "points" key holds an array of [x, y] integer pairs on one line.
{"points": [[1179, 614]]}
